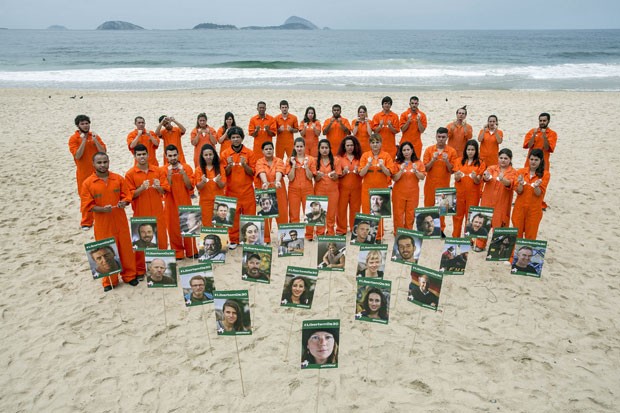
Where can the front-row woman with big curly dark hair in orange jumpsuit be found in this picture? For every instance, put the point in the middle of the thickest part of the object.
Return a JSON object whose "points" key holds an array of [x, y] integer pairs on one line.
{"points": [[349, 184]]}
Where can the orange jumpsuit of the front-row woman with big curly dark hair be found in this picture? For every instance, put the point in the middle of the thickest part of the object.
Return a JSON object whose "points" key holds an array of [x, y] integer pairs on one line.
{"points": [[349, 194]]}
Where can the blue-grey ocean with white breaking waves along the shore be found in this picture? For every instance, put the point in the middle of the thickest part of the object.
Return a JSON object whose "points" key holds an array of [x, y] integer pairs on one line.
{"points": [[577, 60]]}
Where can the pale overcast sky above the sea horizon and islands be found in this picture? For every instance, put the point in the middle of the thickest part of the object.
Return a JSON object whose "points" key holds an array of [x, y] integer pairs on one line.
{"points": [[359, 14]]}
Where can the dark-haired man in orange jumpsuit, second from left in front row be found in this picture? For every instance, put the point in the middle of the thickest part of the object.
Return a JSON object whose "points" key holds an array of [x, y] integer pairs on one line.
{"points": [[147, 185]]}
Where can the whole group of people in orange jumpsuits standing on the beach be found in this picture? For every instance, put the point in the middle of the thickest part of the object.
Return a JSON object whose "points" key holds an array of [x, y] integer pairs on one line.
{"points": [[345, 164]]}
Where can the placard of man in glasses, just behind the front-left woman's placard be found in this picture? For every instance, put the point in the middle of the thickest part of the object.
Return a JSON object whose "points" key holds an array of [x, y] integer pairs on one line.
{"points": [[197, 283]]}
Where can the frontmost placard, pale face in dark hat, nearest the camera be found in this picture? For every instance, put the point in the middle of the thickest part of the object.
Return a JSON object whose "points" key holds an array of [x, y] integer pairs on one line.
{"points": [[320, 340]]}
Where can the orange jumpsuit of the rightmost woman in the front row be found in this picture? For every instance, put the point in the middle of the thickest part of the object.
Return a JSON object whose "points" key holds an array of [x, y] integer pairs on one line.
{"points": [[527, 212]]}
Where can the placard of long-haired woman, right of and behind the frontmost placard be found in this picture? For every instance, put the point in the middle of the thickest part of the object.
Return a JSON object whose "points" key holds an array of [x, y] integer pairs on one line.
{"points": [[373, 300]]}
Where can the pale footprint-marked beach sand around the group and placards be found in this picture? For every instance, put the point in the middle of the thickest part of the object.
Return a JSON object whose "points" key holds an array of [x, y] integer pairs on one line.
{"points": [[499, 342]]}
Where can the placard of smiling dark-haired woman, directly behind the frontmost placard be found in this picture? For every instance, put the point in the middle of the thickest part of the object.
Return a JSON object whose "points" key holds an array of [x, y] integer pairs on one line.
{"points": [[299, 286]]}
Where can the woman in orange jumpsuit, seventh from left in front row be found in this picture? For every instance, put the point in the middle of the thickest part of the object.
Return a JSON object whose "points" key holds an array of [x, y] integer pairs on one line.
{"points": [[300, 170]]}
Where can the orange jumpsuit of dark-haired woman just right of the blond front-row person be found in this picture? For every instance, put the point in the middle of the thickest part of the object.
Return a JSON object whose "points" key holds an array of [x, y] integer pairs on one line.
{"points": [[406, 195]]}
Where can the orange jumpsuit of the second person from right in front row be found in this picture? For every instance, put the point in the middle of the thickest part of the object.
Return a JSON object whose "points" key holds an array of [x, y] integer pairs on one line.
{"points": [[499, 196]]}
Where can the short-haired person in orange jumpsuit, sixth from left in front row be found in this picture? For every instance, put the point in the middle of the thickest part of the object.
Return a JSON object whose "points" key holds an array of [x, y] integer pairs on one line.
{"points": [[270, 172]]}
